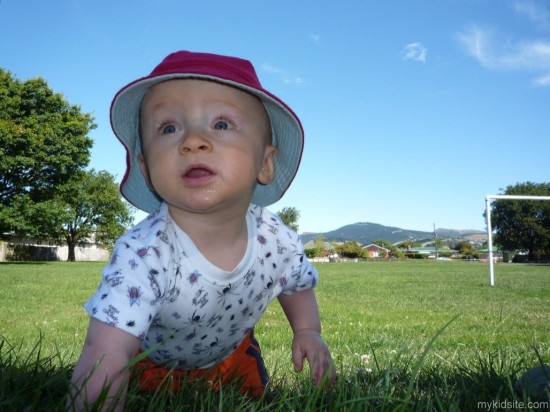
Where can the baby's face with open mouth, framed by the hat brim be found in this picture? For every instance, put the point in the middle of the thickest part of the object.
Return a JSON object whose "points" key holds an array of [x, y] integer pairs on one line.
{"points": [[205, 145]]}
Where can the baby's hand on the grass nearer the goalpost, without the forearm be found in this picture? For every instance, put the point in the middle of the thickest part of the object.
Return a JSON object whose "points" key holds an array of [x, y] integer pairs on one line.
{"points": [[307, 343]]}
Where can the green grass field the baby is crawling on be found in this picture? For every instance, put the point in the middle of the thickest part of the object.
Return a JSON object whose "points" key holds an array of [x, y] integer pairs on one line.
{"points": [[411, 335]]}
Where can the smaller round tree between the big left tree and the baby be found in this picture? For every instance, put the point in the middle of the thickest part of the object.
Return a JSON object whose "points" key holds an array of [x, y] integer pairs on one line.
{"points": [[90, 209]]}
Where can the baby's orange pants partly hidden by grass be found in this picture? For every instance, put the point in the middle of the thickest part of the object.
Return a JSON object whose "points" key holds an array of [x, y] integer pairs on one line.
{"points": [[244, 367]]}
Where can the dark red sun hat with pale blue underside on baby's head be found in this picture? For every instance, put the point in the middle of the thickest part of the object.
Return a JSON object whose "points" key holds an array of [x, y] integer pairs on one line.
{"points": [[286, 129]]}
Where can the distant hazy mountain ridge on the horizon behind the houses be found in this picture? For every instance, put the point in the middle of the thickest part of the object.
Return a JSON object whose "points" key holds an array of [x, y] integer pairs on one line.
{"points": [[366, 232]]}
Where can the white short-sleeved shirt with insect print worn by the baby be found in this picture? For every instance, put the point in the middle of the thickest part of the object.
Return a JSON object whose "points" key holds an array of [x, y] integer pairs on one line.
{"points": [[161, 289]]}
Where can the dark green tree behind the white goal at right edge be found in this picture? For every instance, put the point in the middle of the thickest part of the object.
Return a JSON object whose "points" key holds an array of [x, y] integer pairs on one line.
{"points": [[523, 224]]}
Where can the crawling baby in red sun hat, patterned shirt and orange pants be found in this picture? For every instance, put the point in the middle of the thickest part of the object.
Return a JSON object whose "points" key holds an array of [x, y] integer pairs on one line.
{"points": [[207, 149]]}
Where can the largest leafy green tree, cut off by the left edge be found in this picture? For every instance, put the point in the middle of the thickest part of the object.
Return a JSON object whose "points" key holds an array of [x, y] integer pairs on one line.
{"points": [[43, 144]]}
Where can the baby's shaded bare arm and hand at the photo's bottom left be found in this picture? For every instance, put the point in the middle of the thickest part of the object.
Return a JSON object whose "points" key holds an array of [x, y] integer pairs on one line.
{"points": [[106, 353]]}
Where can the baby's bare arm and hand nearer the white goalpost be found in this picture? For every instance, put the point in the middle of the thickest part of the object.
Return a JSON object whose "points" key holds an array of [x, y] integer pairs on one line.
{"points": [[303, 315]]}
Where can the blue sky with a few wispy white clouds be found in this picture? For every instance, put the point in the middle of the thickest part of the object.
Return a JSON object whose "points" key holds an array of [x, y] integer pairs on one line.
{"points": [[413, 110]]}
